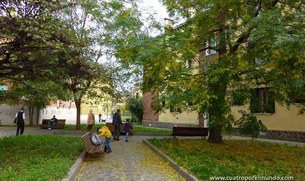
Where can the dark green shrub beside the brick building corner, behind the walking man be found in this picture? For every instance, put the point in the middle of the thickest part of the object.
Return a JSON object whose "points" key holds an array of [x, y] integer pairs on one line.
{"points": [[134, 105]]}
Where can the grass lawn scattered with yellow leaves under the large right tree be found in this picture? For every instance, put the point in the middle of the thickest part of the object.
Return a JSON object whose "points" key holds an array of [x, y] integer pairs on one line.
{"points": [[234, 158]]}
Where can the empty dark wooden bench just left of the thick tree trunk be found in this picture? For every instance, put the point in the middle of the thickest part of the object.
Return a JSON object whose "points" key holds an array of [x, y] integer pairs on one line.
{"points": [[190, 131]]}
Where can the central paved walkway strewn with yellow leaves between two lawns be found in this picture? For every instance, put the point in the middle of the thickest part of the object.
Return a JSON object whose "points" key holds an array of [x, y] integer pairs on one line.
{"points": [[128, 161]]}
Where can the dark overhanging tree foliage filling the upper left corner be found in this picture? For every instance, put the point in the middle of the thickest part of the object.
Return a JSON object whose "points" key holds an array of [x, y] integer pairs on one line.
{"points": [[31, 40]]}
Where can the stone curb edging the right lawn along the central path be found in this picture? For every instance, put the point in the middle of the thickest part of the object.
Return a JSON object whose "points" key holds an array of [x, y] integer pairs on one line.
{"points": [[180, 170]]}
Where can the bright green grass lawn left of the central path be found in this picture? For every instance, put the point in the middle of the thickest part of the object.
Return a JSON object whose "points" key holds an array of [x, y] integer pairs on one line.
{"points": [[38, 157]]}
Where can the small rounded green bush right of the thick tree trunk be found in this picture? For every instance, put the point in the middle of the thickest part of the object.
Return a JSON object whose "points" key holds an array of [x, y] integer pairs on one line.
{"points": [[249, 125]]}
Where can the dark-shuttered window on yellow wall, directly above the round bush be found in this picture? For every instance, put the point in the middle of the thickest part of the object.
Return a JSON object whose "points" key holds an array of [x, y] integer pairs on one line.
{"points": [[261, 101]]}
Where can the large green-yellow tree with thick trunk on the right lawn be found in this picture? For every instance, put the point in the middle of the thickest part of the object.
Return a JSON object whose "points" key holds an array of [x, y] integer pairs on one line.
{"points": [[237, 33]]}
